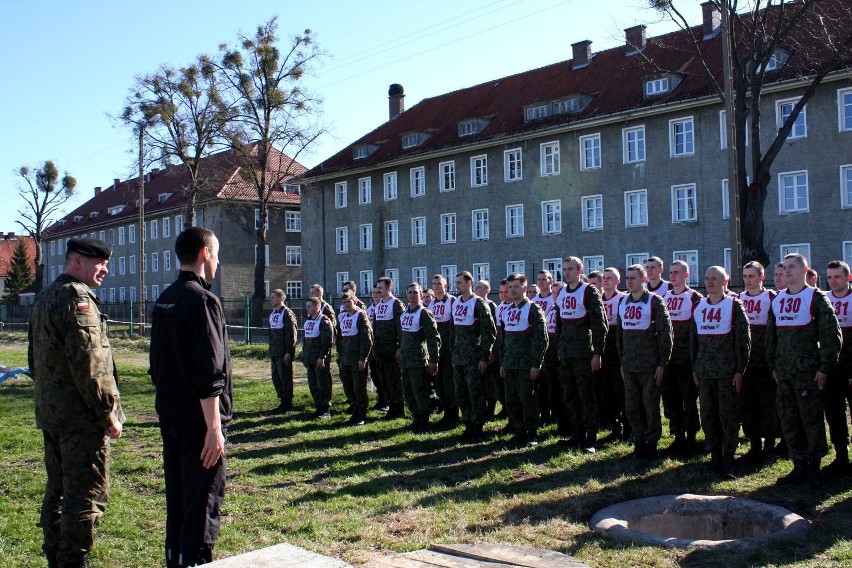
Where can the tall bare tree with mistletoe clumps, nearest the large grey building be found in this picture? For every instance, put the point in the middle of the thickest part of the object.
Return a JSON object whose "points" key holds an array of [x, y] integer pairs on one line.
{"points": [[274, 119]]}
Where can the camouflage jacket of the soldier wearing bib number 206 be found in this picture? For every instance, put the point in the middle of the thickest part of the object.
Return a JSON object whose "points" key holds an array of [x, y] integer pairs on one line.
{"points": [[643, 351]]}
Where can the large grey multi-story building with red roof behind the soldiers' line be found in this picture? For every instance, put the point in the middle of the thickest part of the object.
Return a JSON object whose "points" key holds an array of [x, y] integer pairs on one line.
{"points": [[602, 156]]}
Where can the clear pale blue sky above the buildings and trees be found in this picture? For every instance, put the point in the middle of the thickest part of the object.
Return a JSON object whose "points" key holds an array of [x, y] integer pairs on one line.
{"points": [[68, 66]]}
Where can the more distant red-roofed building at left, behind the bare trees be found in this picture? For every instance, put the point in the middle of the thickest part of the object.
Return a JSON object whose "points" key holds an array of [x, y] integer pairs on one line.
{"points": [[228, 205]]}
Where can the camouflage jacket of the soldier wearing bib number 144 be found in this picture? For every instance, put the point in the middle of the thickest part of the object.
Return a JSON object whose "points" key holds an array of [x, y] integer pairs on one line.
{"points": [[724, 355]]}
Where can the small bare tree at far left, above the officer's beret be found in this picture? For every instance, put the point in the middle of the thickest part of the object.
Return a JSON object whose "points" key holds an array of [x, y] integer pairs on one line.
{"points": [[44, 193]]}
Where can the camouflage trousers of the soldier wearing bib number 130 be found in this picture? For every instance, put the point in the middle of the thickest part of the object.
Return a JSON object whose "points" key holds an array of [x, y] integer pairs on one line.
{"points": [[800, 410]]}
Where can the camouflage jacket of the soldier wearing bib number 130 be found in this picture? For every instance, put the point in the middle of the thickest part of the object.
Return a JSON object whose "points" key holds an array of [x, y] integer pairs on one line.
{"points": [[807, 349]]}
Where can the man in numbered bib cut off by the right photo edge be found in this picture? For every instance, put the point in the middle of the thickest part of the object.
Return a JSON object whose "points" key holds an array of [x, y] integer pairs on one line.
{"points": [[838, 385]]}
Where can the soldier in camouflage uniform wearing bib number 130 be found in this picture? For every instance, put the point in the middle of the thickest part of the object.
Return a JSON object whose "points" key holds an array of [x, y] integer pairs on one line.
{"points": [[802, 344]]}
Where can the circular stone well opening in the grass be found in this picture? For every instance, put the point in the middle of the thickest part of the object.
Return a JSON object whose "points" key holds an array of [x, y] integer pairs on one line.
{"points": [[682, 521]]}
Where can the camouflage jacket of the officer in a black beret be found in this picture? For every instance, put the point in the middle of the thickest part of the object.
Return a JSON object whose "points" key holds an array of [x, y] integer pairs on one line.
{"points": [[76, 387]]}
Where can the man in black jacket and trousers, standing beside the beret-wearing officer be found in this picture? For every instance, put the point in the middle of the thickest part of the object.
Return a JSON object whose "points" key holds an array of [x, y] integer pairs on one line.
{"points": [[191, 370]]}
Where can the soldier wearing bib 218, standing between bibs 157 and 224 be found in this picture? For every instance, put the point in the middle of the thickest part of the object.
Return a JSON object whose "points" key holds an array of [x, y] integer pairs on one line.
{"points": [[419, 345]]}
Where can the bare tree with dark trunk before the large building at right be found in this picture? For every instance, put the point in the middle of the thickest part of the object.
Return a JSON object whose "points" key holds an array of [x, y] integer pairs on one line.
{"points": [[805, 39]]}
